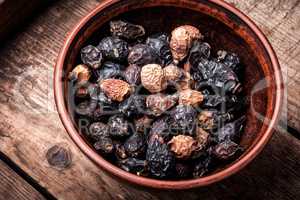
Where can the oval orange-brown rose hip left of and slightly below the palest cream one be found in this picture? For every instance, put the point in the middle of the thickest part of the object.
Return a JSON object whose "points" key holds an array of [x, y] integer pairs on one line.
{"points": [[115, 89]]}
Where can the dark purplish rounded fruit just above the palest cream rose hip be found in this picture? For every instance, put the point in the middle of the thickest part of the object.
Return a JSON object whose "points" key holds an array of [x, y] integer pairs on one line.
{"points": [[142, 54]]}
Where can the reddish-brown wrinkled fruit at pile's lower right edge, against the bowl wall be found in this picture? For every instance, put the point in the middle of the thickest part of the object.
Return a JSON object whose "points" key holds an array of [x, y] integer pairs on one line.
{"points": [[225, 150]]}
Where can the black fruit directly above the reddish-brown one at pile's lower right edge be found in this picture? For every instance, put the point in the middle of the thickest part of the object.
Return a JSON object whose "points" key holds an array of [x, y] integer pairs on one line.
{"points": [[231, 131]]}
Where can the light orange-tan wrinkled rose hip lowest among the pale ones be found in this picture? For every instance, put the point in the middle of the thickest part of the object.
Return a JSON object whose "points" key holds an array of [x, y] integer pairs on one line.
{"points": [[183, 146]]}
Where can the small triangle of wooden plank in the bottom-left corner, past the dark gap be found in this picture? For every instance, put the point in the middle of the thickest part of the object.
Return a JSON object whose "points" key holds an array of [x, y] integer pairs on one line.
{"points": [[14, 187]]}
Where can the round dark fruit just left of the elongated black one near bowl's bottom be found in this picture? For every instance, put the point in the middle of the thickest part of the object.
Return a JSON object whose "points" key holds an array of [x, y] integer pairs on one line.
{"points": [[135, 145]]}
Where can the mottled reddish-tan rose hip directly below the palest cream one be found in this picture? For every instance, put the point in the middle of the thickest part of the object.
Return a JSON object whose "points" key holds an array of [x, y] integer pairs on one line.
{"points": [[160, 103]]}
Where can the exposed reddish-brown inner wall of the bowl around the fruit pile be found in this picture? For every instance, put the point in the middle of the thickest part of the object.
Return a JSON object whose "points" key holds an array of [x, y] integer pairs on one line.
{"points": [[222, 29]]}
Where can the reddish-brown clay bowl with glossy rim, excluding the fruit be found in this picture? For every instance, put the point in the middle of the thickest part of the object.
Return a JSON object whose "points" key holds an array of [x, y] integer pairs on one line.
{"points": [[224, 27]]}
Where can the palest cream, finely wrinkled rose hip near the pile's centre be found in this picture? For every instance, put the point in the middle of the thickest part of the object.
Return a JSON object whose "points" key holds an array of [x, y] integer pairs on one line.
{"points": [[152, 78]]}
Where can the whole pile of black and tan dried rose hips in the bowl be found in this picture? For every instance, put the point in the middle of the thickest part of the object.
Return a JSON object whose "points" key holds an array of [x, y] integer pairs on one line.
{"points": [[159, 106]]}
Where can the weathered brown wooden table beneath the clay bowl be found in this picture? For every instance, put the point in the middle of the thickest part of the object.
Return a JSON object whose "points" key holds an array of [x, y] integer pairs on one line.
{"points": [[30, 126]]}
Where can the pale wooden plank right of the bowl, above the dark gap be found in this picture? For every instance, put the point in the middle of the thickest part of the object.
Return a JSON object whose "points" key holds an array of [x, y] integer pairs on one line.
{"points": [[280, 21]]}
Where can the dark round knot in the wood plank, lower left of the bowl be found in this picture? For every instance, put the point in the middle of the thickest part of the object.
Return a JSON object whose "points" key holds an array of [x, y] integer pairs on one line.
{"points": [[59, 157]]}
